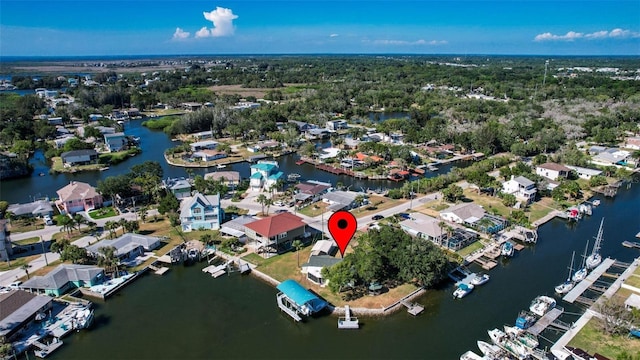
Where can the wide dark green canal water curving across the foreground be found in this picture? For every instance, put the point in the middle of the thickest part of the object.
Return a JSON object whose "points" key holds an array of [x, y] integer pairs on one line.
{"points": [[186, 314]]}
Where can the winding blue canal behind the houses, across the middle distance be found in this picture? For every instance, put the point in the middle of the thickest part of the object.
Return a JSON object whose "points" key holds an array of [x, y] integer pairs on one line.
{"points": [[153, 144]]}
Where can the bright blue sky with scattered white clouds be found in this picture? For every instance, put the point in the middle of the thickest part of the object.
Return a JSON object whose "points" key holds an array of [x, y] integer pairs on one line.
{"points": [[519, 27]]}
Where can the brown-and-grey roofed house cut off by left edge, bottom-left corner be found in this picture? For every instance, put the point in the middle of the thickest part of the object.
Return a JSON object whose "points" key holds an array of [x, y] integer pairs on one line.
{"points": [[18, 310]]}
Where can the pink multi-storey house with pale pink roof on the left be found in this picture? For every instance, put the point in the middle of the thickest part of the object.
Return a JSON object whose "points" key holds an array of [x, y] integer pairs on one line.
{"points": [[78, 196]]}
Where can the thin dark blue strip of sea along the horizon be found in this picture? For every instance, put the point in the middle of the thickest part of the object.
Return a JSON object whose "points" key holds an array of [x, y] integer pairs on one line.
{"points": [[13, 58]]}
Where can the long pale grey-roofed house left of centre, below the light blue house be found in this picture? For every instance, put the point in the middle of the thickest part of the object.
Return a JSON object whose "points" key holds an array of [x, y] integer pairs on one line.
{"points": [[127, 246]]}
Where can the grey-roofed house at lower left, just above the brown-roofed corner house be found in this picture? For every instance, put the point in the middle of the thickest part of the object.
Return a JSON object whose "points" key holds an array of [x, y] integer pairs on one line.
{"points": [[64, 278]]}
